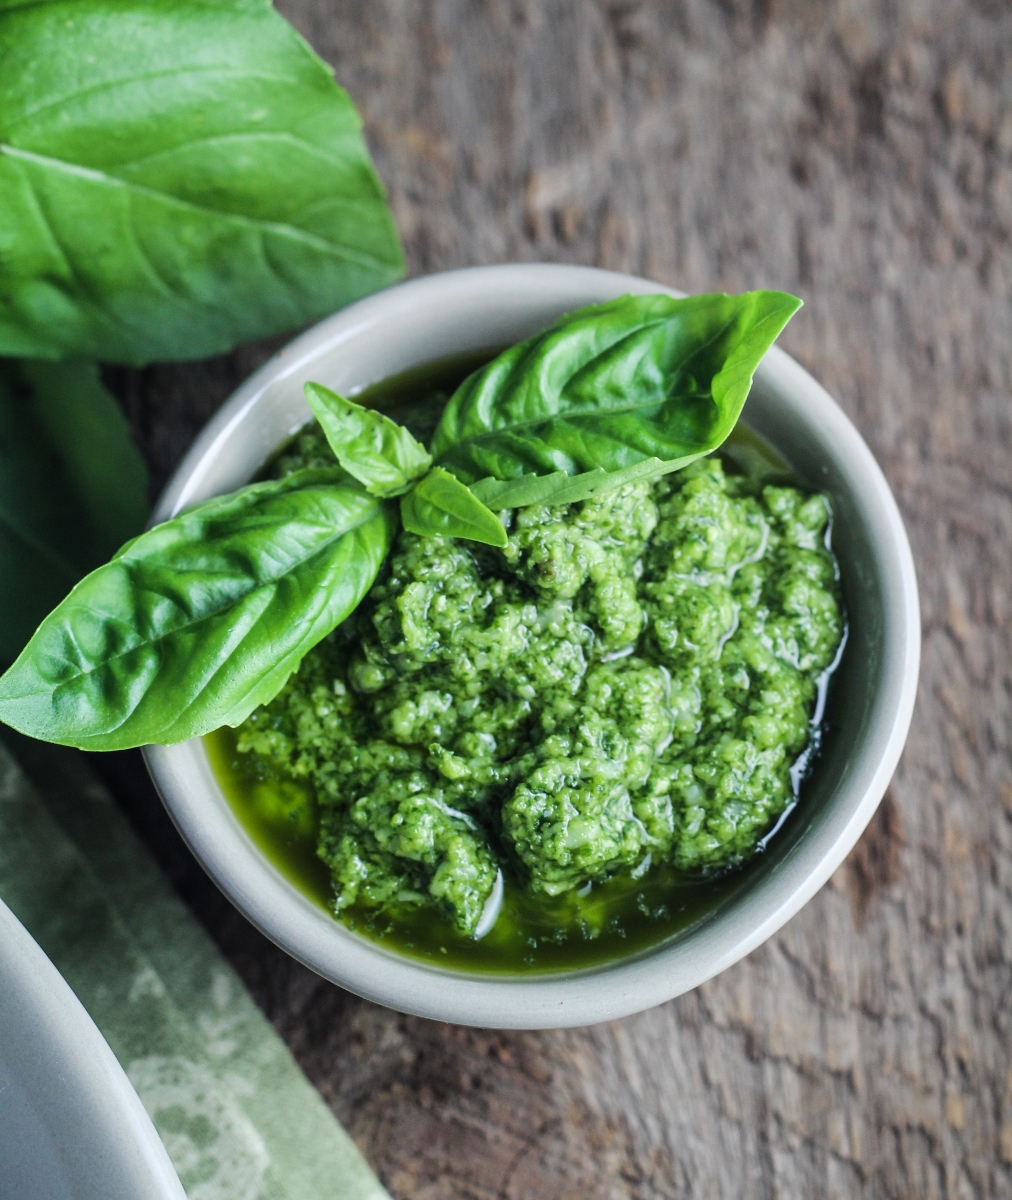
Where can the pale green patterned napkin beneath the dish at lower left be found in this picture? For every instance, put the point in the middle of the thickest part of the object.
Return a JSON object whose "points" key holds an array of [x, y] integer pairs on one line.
{"points": [[239, 1119]]}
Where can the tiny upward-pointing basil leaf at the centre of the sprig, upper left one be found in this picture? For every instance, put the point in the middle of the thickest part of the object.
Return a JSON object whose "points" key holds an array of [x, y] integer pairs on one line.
{"points": [[381, 454]]}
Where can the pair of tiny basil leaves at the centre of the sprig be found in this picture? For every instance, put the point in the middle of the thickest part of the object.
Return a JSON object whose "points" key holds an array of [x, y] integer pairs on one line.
{"points": [[388, 461]]}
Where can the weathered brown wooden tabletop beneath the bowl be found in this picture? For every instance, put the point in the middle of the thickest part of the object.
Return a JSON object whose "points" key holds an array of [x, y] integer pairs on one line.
{"points": [[859, 153]]}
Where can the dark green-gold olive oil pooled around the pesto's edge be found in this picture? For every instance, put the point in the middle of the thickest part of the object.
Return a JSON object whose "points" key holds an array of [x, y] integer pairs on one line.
{"points": [[534, 935]]}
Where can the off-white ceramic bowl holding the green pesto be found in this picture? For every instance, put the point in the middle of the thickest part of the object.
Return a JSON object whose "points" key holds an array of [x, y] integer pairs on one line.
{"points": [[469, 310]]}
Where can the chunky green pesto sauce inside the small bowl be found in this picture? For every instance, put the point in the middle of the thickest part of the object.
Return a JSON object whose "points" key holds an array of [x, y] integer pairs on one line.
{"points": [[618, 700]]}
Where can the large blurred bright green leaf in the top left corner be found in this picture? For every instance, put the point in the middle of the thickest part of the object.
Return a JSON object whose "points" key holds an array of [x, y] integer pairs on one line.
{"points": [[176, 179]]}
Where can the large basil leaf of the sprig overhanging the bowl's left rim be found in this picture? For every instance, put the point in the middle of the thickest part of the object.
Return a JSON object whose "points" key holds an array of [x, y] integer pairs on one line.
{"points": [[200, 620]]}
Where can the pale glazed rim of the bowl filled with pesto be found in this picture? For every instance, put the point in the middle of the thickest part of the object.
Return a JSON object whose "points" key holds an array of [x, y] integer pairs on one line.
{"points": [[184, 779]]}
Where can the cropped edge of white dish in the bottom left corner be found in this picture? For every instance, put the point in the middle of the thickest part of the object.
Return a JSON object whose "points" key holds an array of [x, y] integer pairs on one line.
{"points": [[71, 1125]]}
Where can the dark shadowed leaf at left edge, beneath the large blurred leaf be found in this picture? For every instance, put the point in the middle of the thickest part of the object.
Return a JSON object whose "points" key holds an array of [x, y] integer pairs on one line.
{"points": [[73, 488]]}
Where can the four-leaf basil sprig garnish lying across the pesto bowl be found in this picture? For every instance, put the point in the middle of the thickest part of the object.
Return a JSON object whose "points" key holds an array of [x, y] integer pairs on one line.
{"points": [[201, 620]]}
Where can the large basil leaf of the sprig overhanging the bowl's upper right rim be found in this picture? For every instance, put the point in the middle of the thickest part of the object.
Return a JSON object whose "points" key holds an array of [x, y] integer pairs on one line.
{"points": [[627, 389]]}
